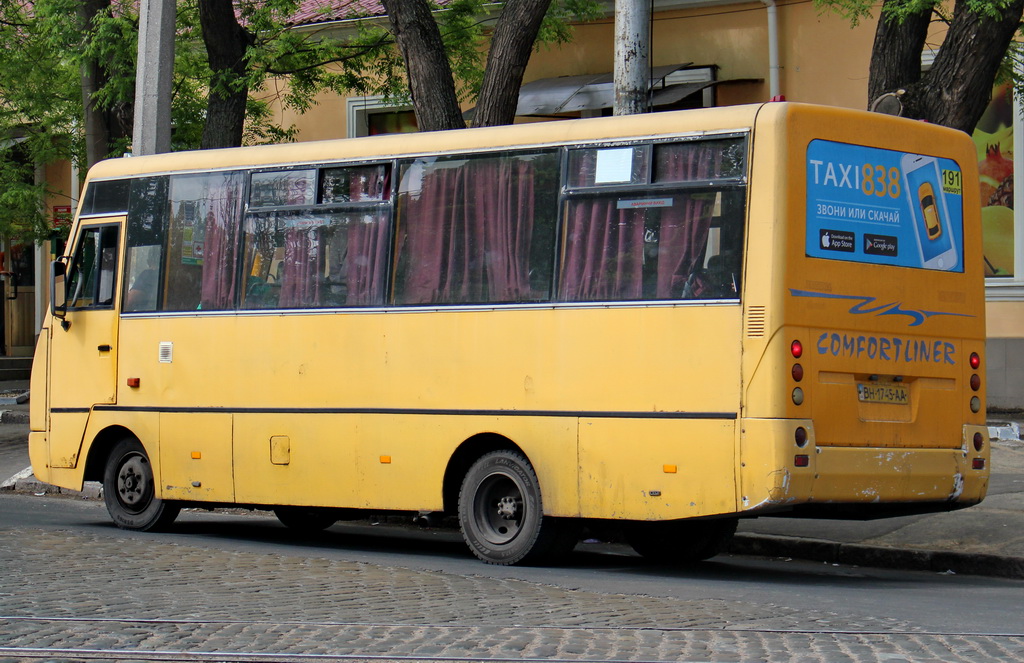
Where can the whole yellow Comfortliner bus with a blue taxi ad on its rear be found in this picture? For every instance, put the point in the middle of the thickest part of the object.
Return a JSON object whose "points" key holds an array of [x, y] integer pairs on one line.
{"points": [[664, 323]]}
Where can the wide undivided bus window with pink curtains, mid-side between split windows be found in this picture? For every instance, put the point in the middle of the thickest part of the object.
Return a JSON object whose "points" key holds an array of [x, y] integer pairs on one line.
{"points": [[468, 233]]}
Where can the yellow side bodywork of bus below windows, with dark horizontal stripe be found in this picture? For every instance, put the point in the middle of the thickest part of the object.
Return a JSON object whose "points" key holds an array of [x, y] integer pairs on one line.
{"points": [[366, 409]]}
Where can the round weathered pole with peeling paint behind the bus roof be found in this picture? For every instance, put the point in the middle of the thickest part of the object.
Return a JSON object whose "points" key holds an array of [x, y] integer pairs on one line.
{"points": [[632, 73]]}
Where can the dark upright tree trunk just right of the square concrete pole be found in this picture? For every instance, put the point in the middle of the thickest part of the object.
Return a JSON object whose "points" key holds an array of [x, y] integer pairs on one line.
{"points": [[227, 43]]}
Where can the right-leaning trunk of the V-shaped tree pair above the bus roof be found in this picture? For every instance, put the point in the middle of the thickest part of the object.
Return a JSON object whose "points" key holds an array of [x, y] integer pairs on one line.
{"points": [[510, 50]]}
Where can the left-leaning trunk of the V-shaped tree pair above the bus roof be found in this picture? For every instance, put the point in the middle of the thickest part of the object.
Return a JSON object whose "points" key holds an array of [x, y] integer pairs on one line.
{"points": [[431, 80]]}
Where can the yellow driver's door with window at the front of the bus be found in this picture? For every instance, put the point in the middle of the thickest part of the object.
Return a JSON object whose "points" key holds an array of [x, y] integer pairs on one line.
{"points": [[84, 342]]}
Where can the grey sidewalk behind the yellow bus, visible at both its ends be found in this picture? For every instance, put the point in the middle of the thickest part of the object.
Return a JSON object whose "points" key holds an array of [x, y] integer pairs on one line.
{"points": [[987, 541]]}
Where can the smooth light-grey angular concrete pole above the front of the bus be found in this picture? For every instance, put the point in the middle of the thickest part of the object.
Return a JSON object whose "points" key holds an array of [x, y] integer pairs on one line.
{"points": [[152, 134]]}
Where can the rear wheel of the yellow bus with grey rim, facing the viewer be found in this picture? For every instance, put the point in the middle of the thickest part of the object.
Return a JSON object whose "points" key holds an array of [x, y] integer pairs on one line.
{"points": [[501, 514]]}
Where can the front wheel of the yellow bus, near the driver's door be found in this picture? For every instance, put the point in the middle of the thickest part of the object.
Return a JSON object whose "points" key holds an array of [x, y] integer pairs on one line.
{"points": [[131, 492]]}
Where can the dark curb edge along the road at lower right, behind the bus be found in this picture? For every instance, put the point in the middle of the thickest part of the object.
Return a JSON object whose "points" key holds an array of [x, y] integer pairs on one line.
{"points": [[974, 564]]}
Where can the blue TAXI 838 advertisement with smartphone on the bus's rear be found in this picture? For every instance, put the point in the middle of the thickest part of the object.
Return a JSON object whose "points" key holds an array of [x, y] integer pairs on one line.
{"points": [[884, 208]]}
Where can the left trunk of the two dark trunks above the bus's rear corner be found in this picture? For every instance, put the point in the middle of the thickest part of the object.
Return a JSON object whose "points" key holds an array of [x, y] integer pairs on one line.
{"points": [[897, 55]]}
